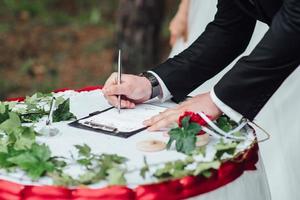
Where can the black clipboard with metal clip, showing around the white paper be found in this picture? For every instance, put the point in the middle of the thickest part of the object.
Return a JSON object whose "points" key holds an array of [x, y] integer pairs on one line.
{"points": [[103, 128]]}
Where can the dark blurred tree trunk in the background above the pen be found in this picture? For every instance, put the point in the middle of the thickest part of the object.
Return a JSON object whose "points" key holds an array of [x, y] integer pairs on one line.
{"points": [[139, 24]]}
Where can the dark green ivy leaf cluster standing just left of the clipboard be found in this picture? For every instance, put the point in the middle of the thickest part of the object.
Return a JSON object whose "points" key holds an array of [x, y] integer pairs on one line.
{"points": [[62, 113]]}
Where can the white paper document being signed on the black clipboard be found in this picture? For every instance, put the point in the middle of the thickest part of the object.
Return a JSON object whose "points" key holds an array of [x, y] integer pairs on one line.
{"points": [[127, 121]]}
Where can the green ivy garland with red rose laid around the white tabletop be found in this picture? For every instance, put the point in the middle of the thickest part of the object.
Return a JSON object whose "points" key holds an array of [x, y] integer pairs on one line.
{"points": [[20, 150]]}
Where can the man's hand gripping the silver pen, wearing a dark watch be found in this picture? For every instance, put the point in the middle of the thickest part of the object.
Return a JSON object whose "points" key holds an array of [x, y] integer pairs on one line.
{"points": [[134, 90]]}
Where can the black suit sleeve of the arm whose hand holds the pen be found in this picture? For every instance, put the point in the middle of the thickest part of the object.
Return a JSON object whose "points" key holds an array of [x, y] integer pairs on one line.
{"points": [[222, 41]]}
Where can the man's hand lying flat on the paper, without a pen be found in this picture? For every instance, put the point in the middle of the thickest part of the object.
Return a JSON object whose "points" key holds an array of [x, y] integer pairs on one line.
{"points": [[202, 102]]}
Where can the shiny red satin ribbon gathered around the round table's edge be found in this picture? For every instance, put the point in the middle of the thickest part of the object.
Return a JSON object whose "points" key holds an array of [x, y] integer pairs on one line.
{"points": [[176, 189]]}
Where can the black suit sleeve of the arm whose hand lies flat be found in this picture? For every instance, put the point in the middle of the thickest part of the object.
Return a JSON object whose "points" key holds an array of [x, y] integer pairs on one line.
{"points": [[252, 81]]}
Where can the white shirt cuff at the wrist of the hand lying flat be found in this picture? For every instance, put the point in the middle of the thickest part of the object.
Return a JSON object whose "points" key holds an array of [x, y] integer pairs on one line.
{"points": [[232, 114]]}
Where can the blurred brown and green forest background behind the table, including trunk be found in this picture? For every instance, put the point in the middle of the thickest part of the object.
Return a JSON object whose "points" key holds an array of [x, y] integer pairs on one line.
{"points": [[50, 44]]}
